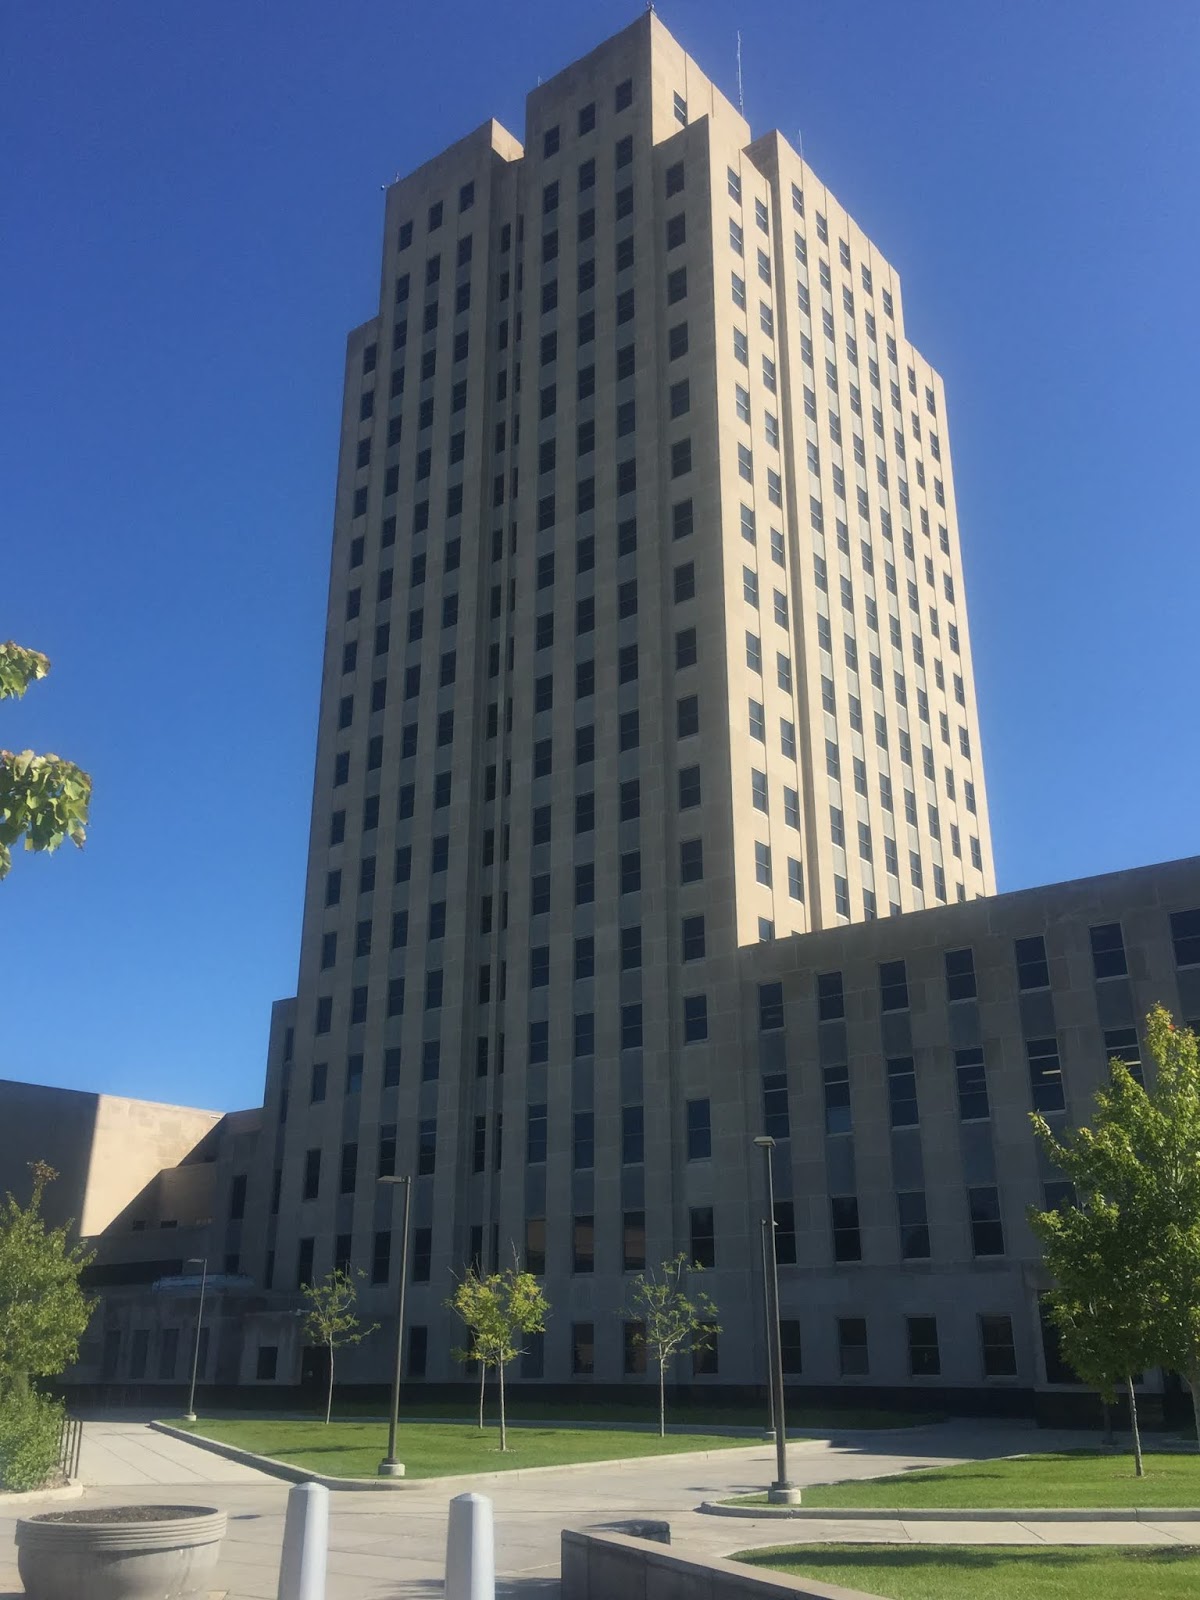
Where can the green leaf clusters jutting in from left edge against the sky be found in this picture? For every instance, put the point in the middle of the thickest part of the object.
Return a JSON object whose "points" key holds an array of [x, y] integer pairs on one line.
{"points": [[42, 798]]}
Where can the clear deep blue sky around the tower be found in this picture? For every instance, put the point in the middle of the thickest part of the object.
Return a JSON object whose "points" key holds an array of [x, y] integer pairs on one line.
{"points": [[191, 214]]}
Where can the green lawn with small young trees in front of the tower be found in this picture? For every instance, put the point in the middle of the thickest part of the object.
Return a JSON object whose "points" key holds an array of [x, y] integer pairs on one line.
{"points": [[353, 1450]]}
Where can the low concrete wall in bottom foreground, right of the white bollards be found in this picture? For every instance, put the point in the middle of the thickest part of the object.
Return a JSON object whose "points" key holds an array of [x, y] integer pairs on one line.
{"points": [[612, 1567]]}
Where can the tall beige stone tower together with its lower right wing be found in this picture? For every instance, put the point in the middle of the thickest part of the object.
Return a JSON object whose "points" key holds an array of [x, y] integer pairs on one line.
{"points": [[647, 714]]}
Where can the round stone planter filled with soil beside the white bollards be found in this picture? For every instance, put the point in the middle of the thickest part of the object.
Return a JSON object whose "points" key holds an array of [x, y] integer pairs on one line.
{"points": [[119, 1553]]}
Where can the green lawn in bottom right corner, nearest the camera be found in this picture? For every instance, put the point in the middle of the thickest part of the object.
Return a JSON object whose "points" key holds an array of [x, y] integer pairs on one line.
{"points": [[994, 1572]]}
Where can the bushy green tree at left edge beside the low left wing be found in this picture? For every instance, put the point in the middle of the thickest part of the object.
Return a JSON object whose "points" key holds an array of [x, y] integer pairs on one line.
{"points": [[44, 1313]]}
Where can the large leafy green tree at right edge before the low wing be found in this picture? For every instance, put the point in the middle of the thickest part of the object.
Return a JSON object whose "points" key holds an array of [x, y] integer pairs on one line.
{"points": [[1137, 1174]]}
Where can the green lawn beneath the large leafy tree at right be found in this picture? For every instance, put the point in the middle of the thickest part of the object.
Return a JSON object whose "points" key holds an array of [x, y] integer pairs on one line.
{"points": [[1081, 1478]]}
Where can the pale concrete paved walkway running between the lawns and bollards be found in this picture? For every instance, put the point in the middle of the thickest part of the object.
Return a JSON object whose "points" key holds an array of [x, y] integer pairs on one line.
{"points": [[393, 1546]]}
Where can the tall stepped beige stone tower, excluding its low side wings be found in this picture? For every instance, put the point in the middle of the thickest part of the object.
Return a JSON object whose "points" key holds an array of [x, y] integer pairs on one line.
{"points": [[647, 642]]}
